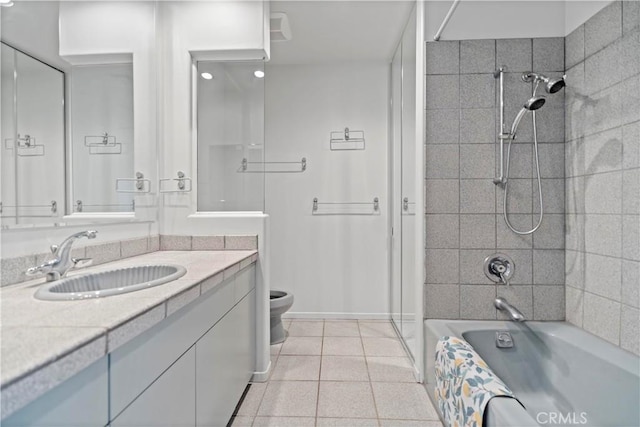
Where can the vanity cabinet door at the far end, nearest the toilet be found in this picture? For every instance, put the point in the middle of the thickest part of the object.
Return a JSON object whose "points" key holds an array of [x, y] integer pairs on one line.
{"points": [[224, 364]]}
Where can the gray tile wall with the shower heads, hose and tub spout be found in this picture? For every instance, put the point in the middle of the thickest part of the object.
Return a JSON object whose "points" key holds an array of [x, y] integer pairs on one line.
{"points": [[464, 221]]}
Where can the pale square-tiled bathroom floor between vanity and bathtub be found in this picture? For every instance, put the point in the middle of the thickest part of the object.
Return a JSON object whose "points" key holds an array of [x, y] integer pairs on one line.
{"points": [[345, 373]]}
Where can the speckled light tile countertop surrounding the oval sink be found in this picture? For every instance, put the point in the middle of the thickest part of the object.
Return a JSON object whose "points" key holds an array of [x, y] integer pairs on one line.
{"points": [[43, 343]]}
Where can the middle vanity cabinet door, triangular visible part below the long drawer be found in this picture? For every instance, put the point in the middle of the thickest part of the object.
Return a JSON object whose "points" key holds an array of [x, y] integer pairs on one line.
{"points": [[168, 402]]}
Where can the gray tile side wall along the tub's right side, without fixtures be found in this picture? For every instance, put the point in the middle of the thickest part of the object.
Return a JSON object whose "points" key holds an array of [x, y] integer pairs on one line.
{"points": [[603, 175]]}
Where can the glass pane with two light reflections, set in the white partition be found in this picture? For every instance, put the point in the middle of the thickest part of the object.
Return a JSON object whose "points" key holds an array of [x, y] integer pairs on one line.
{"points": [[230, 128]]}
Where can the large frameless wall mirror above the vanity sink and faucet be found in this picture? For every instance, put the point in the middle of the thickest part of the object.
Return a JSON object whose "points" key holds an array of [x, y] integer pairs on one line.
{"points": [[70, 125]]}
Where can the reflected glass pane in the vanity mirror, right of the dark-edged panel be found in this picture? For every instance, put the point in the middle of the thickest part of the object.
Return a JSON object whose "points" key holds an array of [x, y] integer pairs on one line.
{"points": [[101, 105]]}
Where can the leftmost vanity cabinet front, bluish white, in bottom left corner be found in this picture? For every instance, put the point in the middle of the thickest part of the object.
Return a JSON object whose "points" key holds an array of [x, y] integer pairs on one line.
{"points": [[81, 401]]}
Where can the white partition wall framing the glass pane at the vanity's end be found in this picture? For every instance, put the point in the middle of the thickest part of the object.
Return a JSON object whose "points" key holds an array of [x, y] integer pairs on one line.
{"points": [[208, 30]]}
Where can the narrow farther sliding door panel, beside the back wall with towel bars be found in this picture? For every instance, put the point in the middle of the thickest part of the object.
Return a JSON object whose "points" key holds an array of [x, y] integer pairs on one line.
{"points": [[395, 157]]}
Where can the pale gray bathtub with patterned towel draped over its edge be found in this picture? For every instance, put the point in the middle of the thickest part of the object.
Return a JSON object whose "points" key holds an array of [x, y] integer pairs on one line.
{"points": [[561, 374]]}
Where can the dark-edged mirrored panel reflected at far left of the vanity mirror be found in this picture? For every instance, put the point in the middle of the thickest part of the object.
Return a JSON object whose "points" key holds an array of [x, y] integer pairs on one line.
{"points": [[33, 140]]}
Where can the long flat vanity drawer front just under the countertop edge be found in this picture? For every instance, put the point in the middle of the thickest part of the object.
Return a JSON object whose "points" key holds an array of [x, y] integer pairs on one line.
{"points": [[139, 362]]}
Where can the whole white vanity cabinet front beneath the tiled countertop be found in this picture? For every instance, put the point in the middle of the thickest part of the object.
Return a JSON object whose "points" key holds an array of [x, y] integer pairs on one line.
{"points": [[188, 370]]}
